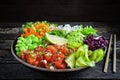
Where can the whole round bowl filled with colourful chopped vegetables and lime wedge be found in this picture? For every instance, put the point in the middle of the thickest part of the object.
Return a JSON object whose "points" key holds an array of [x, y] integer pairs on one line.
{"points": [[52, 47]]}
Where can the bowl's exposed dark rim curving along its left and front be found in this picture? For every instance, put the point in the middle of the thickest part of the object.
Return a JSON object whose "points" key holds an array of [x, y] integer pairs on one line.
{"points": [[39, 68]]}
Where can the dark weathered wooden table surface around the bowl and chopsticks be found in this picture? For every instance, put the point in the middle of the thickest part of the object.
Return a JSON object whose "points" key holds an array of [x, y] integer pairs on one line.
{"points": [[10, 68]]}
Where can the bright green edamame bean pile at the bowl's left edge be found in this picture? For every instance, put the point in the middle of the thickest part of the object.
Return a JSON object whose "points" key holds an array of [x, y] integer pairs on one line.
{"points": [[27, 43]]}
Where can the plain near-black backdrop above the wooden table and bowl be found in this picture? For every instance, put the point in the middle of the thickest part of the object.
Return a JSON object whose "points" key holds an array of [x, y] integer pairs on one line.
{"points": [[59, 10]]}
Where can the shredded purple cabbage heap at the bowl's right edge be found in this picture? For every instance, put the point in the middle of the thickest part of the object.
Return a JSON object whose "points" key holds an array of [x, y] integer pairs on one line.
{"points": [[96, 42]]}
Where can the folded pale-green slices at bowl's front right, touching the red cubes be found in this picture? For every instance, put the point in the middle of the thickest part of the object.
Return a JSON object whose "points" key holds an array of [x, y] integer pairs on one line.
{"points": [[79, 58]]}
